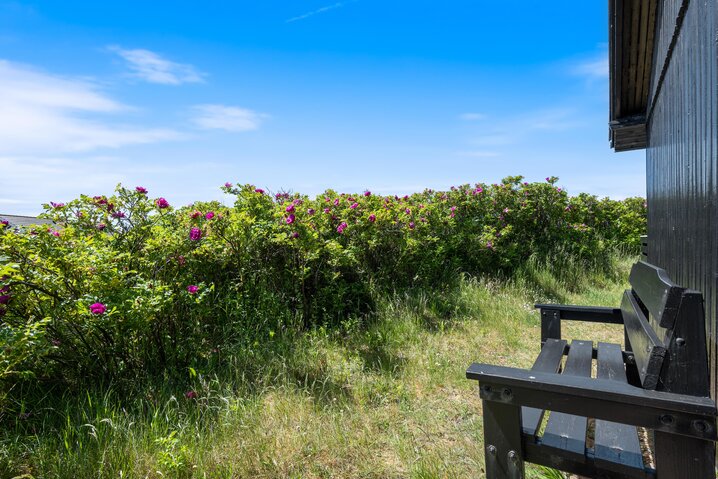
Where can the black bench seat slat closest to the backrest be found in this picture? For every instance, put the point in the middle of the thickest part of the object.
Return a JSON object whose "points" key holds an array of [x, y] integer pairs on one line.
{"points": [[615, 445]]}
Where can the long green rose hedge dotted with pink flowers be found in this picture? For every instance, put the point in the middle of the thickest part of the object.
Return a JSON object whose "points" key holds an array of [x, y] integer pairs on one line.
{"points": [[126, 284]]}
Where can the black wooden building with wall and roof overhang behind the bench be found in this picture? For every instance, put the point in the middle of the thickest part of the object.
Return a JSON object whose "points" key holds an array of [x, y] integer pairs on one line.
{"points": [[664, 98]]}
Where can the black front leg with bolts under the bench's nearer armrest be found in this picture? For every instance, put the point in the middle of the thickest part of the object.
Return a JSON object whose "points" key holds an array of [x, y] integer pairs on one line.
{"points": [[502, 441]]}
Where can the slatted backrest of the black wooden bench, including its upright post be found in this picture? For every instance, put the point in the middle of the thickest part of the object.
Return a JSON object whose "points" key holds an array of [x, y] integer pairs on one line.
{"points": [[665, 328]]}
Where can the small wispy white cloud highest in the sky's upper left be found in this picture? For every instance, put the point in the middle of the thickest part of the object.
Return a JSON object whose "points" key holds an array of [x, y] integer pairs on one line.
{"points": [[153, 68]]}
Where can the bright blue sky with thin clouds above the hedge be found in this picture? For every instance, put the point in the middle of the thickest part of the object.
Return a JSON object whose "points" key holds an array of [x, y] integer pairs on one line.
{"points": [[391, 96]]}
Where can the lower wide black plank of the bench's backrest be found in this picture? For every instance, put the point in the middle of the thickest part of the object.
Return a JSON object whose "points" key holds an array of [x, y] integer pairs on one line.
{"points": [[648, 350]]}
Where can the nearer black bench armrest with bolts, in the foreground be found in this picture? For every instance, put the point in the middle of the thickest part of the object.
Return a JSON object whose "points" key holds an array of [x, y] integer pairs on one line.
{"points": [[597, 398]]}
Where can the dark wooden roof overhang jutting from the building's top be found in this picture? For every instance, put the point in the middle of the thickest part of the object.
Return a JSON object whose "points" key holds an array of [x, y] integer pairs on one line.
{"points": [[632, 27]]}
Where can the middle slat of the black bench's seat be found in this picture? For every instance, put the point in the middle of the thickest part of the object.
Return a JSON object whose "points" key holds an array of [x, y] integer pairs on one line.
{"points": [[566, 431]]}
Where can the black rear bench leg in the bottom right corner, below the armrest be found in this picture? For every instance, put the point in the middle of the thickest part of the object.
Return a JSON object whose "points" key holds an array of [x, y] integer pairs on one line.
{"points": [[683, 457]]}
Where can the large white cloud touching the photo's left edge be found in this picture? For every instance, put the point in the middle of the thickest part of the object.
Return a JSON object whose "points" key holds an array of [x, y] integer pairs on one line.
{"points": [[45, 113]]}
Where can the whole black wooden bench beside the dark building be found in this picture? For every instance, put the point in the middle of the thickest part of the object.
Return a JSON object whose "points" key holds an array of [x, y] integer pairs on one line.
{"points": [[660, 382]]}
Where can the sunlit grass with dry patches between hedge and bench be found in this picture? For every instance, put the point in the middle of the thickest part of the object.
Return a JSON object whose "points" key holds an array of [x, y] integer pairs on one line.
{"points": [[382, 397]]}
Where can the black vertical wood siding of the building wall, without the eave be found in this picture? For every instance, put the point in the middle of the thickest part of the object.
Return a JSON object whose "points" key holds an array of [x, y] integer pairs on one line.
{"points": [[682, 153]]}
